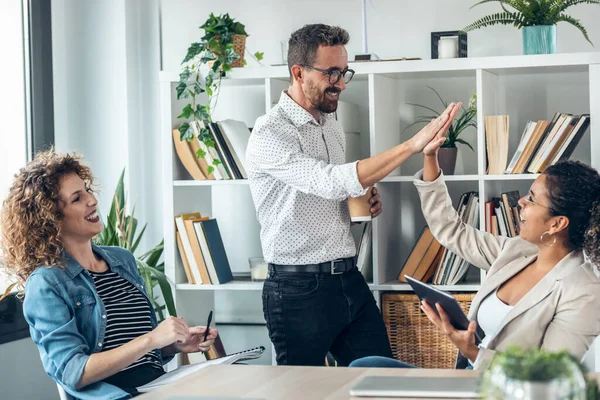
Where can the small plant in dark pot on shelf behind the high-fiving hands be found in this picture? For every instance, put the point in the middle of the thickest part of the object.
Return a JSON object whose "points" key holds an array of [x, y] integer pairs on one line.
{"points": [[448, 151]]}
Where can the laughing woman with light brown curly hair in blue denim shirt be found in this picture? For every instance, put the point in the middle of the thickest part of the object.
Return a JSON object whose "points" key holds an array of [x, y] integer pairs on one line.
{"points": [[86, 306]]}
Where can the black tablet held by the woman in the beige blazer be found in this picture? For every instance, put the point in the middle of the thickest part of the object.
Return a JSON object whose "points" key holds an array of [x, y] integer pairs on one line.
{"points": [[433, 296]]}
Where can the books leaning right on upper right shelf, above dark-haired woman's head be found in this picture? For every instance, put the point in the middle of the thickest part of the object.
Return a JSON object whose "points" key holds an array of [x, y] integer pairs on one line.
{"points": [[544, 143]]}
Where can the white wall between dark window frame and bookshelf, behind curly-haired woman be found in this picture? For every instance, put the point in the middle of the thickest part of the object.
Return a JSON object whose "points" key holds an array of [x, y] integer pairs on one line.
{"points": [[105, 65]]}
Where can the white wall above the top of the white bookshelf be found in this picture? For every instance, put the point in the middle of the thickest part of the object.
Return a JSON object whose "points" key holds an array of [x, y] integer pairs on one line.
{"points": [[396, 28]]}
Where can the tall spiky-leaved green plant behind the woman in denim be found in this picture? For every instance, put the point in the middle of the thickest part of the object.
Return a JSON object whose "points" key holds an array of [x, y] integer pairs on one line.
{"points": [[120, 229]]}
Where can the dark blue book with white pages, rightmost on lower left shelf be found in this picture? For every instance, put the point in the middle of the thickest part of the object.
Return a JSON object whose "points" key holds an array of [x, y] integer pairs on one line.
{"points": [[213, 250]]}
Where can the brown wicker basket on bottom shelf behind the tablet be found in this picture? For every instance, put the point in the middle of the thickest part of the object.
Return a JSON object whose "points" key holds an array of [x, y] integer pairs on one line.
{"points": [[414, 339]]}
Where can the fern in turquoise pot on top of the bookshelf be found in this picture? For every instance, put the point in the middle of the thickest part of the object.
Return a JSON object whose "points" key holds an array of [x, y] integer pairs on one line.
{"points": [[538, 18]]}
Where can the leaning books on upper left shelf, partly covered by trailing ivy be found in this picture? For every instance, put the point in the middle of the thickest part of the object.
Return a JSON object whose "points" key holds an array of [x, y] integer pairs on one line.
{"points": [[225, 155]]}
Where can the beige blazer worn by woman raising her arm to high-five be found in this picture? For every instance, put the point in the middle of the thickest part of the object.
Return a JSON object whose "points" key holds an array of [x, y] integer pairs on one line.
{"points": [[561, 312]]}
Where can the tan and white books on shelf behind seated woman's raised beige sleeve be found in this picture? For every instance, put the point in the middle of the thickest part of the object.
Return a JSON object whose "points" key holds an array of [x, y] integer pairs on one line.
{"points": [[428, 259]]}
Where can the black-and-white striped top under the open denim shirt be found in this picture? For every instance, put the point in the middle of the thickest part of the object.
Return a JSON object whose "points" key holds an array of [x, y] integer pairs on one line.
{"points": [[127, 315]]}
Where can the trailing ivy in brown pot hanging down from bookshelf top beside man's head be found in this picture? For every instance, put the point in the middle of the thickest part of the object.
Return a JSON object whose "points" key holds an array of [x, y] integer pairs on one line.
{"points": [[219, 50]]}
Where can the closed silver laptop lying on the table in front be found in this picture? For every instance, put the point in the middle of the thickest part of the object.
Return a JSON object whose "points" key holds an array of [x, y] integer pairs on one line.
{"points": [[413, 386]]}
